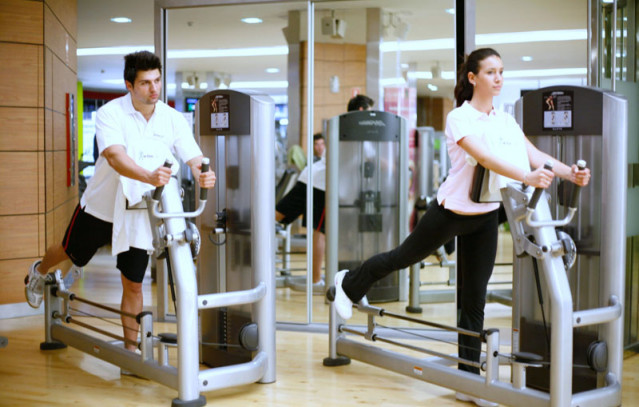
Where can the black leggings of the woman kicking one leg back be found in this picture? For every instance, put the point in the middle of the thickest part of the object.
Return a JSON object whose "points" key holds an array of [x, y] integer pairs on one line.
{"points": [[476, 251]]}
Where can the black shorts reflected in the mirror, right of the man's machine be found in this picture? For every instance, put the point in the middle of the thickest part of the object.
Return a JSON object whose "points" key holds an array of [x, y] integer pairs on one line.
{"points": [[293, 205]]}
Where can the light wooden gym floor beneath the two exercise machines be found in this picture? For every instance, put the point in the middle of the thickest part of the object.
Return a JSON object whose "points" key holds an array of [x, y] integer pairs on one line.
{"points": [[30, 377]]}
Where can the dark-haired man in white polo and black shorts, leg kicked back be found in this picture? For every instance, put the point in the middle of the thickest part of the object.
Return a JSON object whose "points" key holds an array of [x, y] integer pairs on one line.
{"points": [[138, 122]]}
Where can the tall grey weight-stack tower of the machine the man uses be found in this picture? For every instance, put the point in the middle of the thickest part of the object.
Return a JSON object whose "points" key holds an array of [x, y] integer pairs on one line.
{"points": [[238, 237]]}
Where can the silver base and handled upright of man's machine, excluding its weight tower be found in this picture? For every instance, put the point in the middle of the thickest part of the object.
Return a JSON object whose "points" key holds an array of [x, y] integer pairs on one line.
{"points": [[170, 233]]}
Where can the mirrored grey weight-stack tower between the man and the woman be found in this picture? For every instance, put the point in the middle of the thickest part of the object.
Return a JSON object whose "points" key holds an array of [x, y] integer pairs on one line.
{"points": [[366, 188]]}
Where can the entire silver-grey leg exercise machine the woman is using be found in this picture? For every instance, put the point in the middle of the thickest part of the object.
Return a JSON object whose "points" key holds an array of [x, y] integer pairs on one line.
{"points": [[567, 335]]}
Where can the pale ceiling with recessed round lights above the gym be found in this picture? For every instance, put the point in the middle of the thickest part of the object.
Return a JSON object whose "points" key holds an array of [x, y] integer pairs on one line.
{"points": [[506, 25]]}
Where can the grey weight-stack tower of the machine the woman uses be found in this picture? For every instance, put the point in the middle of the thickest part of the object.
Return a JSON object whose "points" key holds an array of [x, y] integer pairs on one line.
{"points": [[597, 131]]}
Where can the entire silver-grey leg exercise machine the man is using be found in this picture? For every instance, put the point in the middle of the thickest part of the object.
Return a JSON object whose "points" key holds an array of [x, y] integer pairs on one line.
{"points": [[229, 327]]}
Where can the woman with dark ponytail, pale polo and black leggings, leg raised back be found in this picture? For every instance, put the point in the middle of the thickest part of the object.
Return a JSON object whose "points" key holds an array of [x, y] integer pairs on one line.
{"points": [[471, 129]]}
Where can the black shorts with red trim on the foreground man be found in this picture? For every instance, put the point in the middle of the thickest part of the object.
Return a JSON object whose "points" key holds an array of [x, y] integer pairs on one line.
{"points": [[86, 234]]}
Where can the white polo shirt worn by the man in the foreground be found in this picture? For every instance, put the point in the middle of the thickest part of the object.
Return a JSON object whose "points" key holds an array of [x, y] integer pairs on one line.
{"points": [[116, 123]]}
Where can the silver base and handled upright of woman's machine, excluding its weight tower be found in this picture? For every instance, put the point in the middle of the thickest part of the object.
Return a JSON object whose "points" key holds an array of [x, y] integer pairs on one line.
{"points": [[528, 214]]}
